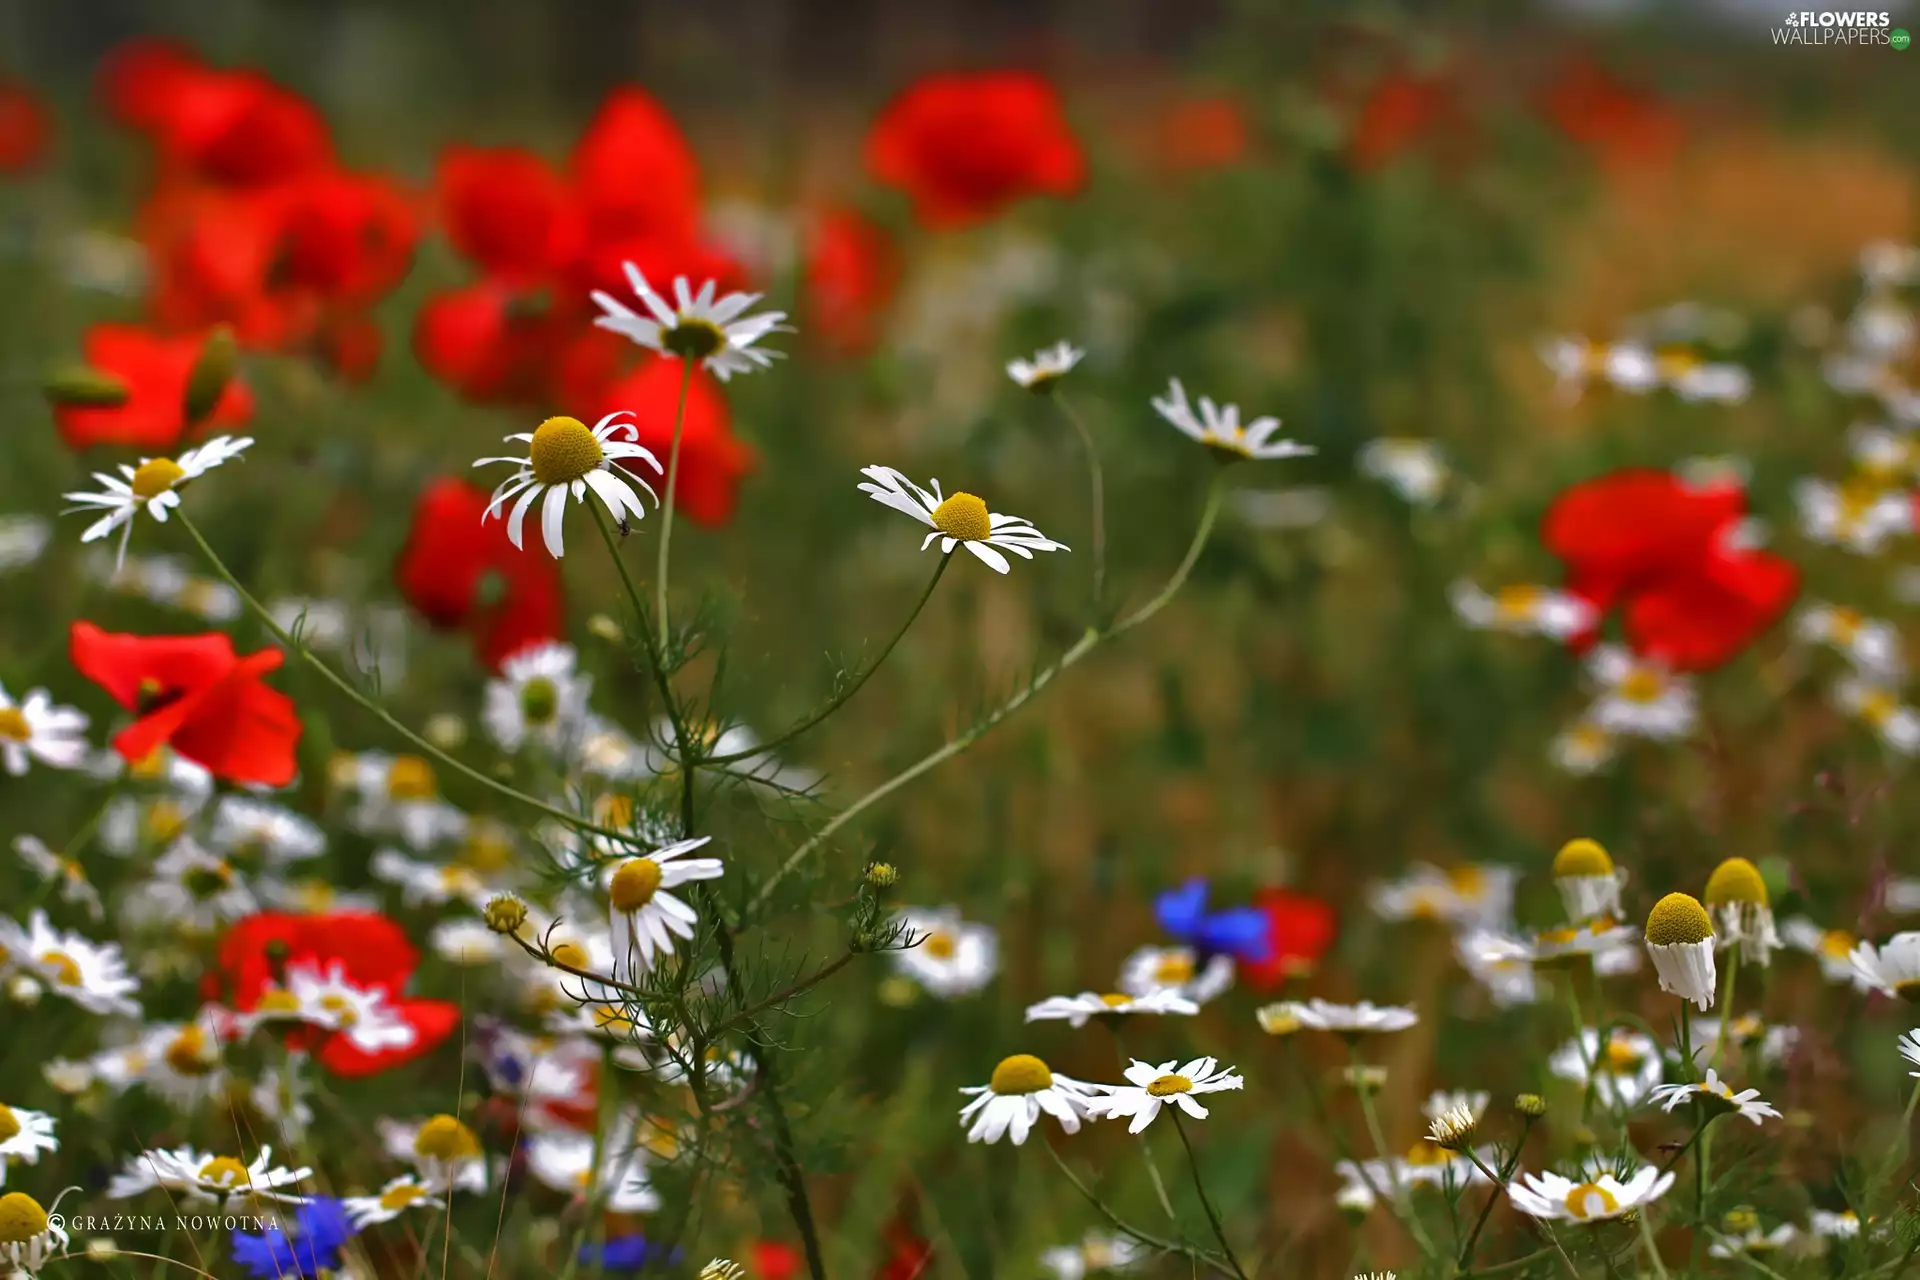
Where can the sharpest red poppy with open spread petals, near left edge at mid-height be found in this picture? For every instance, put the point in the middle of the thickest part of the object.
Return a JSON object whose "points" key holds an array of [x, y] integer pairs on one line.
{"points": [[199, 698]]}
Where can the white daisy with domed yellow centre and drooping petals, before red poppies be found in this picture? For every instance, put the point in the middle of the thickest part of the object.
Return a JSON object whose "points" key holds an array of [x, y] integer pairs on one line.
{"points": [[564, 456]]}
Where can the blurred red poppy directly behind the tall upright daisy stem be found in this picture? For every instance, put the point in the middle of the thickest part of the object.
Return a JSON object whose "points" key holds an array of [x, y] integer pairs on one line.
{"points": [[711, 460]]}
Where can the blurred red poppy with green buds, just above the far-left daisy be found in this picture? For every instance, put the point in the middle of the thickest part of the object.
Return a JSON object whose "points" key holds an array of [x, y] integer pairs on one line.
{"points": [[155, 371]]}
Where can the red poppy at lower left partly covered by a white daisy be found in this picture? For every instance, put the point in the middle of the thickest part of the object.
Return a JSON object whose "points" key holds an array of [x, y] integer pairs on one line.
{"points": [[364, 957]]}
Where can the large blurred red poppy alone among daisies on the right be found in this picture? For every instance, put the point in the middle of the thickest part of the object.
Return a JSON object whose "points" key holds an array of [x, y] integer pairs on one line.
{"points": [[1673, 557]]}
